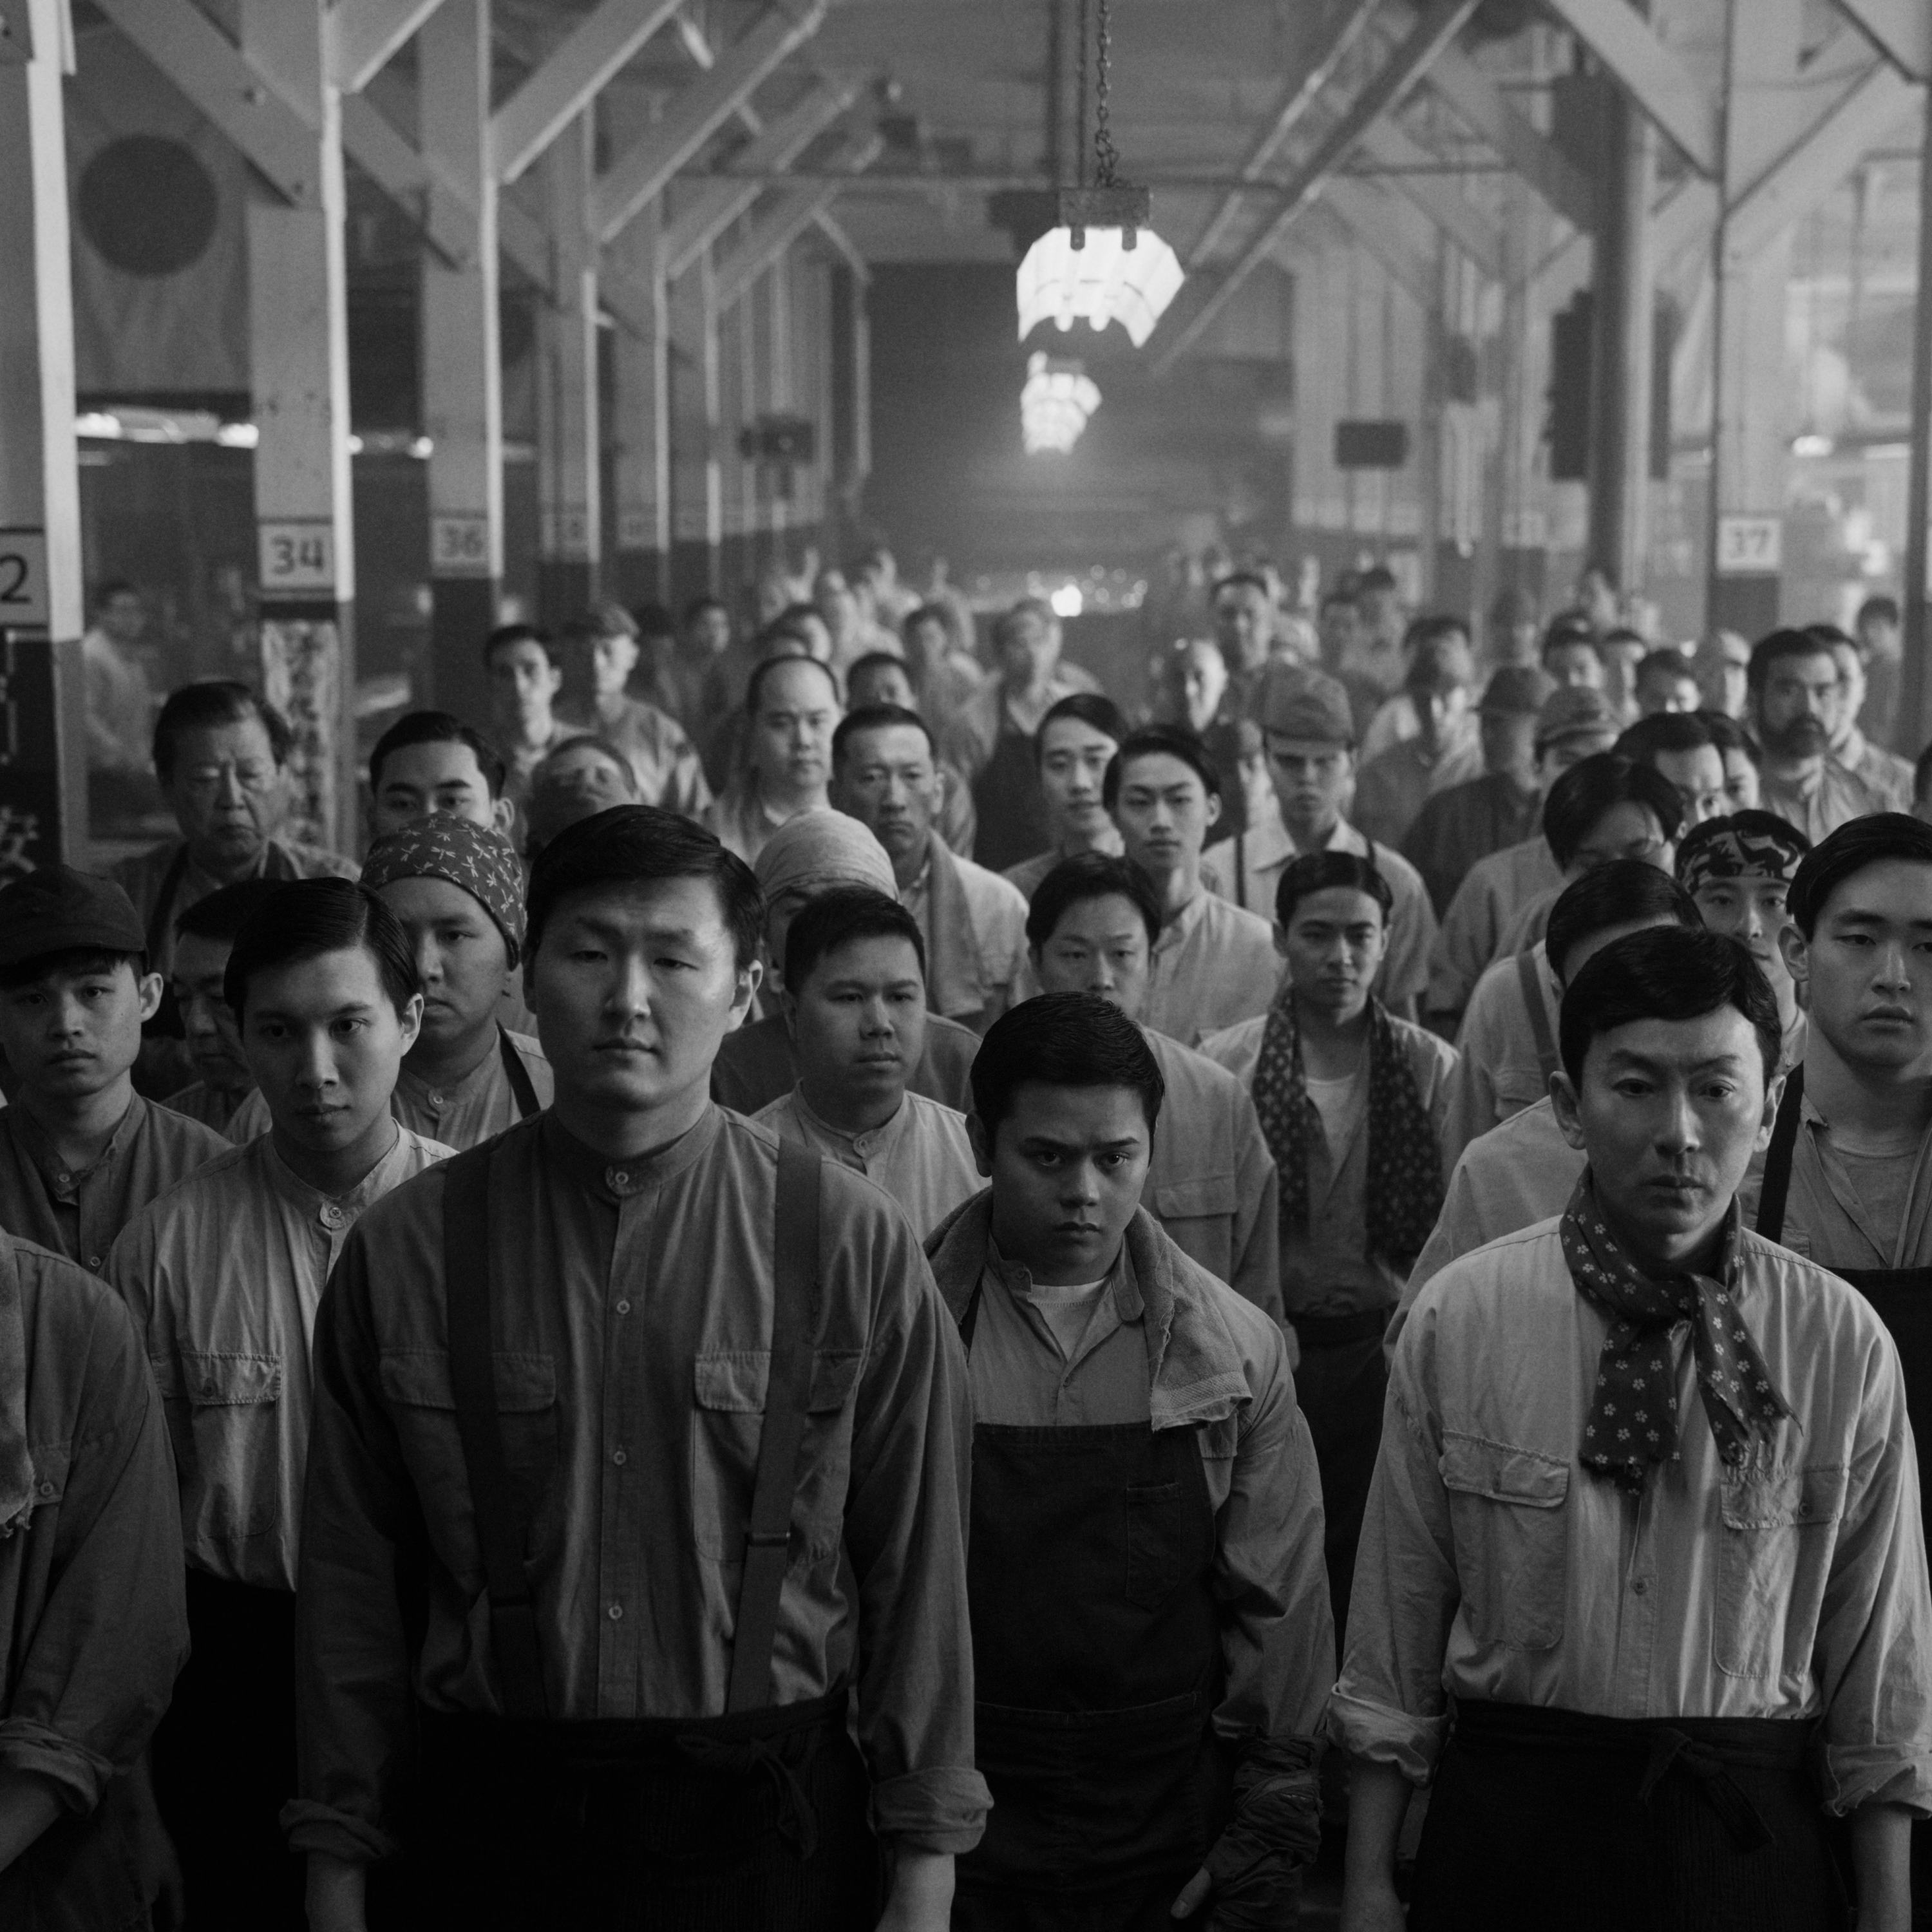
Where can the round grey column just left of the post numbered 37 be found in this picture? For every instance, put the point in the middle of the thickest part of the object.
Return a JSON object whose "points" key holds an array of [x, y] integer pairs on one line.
{"points": [[1622, 347]]}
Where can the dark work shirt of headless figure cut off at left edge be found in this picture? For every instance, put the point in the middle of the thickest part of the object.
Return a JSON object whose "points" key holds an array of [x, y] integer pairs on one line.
{"points": [[94, 1628]]}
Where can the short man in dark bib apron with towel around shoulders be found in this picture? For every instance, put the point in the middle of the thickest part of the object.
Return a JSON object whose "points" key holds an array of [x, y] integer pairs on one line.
{"points": [[1149, 1676]]}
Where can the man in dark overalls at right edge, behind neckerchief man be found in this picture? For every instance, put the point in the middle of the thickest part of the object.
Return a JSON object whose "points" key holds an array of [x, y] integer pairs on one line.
{"points": [[1848, 1179]]}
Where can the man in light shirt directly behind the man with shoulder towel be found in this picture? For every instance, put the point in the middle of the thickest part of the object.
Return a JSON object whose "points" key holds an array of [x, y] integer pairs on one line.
{"points": [[1093, 928]]}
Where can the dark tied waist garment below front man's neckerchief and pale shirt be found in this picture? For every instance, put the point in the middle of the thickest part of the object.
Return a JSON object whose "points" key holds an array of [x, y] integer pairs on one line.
{"points": [[1547, 1819]]}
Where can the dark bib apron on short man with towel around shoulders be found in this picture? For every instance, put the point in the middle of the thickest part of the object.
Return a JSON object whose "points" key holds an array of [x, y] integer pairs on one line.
{"points": [[1096, 1659]]}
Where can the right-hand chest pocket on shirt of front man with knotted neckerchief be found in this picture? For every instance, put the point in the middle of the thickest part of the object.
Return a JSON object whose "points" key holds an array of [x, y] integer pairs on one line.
{"points": [[1775, 1558]]}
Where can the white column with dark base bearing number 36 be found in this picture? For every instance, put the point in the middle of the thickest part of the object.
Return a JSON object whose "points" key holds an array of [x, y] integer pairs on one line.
{"points": [[463, 364]]}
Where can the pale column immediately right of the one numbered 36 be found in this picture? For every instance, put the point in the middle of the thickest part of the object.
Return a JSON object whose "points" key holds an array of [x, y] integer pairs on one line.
{"points": [[569, 482]]}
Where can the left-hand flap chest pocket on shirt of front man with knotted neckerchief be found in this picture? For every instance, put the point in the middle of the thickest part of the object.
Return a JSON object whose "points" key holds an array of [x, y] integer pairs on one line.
{"points": [[1512, 1539]]}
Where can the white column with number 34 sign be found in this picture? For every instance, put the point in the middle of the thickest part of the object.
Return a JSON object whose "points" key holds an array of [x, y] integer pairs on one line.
{"points": [[300, 378]]}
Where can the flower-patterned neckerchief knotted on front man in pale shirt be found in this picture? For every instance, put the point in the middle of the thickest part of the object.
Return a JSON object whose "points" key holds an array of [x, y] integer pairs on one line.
{"points": [[1634, 1413]]}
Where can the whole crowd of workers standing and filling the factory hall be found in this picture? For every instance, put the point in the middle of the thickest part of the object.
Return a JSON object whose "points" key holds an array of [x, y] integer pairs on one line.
{"points": [[839, 1286]]}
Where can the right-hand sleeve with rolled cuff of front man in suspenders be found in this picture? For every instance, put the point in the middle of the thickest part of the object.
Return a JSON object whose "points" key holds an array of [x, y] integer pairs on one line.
{"points": [[905, 1535]]}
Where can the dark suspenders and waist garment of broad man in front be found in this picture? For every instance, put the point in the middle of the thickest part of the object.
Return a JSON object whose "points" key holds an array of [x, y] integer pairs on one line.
{"points": [[754, 1819]]}
